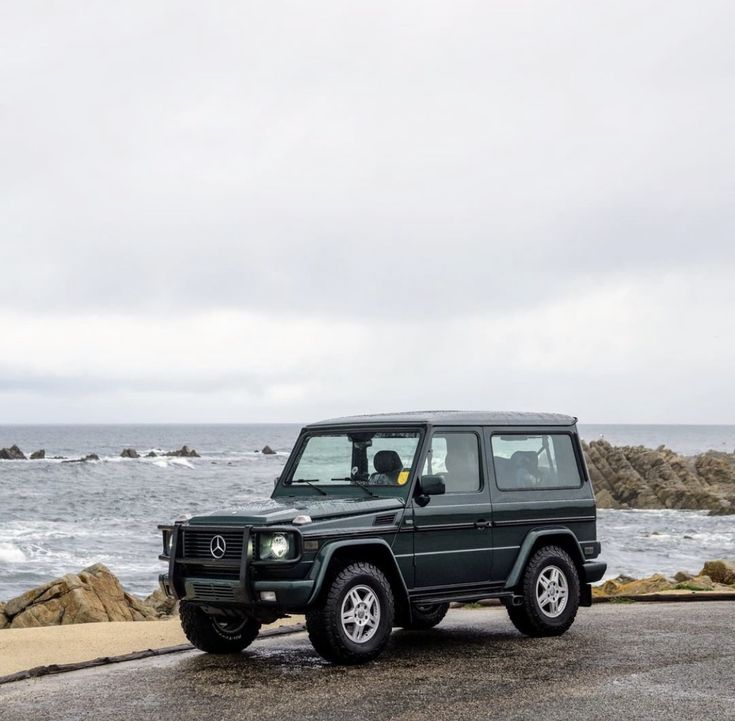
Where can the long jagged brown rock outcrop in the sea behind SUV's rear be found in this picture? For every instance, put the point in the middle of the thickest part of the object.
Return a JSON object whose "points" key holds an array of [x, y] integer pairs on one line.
{"points": [[638, 477]]}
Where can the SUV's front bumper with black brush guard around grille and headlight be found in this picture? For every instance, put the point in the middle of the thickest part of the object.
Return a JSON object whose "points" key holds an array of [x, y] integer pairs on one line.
{"points": [[232, 582]]}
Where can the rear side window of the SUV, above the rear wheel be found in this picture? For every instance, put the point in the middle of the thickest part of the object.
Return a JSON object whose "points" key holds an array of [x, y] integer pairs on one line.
{"points": [[534, 462]]}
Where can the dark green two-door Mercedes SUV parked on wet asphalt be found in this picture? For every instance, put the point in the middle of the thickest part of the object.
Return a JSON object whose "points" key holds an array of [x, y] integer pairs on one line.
{"points": [[383, 520]]}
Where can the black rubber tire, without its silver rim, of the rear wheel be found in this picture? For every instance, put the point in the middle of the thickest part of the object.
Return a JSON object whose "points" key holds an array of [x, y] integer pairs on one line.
{"points": [[529, 618]]}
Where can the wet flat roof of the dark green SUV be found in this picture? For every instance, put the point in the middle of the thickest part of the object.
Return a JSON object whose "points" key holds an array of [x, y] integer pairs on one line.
{"points": [[454, 418]]}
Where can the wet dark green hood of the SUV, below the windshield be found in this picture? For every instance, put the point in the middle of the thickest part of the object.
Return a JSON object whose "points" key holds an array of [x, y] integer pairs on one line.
{"points": [[272, 511]]}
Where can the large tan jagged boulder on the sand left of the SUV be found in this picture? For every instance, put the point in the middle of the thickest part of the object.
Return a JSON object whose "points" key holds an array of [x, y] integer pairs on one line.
{"points": [[92, 595]]}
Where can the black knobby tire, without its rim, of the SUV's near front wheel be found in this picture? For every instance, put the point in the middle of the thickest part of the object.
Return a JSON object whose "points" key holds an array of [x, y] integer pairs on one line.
{"points": [[324, 623]]}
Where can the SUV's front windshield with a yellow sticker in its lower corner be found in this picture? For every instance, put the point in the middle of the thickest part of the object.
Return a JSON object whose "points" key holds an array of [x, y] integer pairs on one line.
{"points": [[371, 460]]}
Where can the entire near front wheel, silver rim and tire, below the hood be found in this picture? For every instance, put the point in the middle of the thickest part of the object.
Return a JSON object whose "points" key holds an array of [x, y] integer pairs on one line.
{"points": [[352, 624]]}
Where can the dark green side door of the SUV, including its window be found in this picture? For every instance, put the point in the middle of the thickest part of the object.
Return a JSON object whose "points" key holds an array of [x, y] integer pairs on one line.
{"points": [[452, 532]]}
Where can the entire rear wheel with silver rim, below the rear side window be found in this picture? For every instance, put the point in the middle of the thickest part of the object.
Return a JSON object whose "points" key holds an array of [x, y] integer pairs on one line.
{"points": [[550, 587]]}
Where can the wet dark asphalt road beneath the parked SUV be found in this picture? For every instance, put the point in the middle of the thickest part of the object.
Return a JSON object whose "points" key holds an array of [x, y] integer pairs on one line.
{"points": [[622, 661]]}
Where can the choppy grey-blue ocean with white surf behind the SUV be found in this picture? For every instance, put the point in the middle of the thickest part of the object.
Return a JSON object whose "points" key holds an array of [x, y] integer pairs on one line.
{"points": [[57, 518]]}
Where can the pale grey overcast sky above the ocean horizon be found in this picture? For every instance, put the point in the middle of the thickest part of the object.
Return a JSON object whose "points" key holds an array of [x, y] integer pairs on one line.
{"points": [[235, 211]]}
